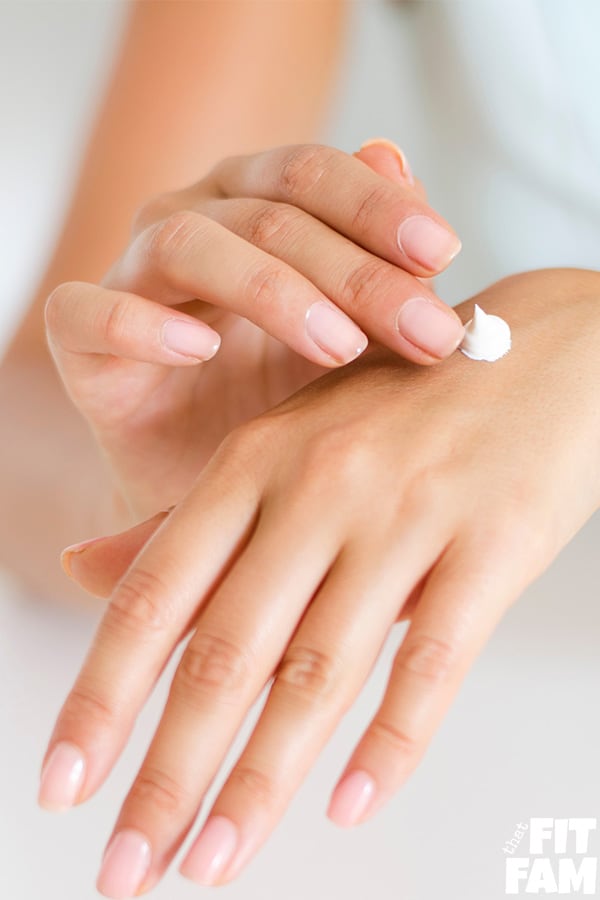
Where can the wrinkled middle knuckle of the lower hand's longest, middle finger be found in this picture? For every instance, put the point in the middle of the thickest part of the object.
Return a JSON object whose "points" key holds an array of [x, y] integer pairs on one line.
{"points": [[212, 666]]}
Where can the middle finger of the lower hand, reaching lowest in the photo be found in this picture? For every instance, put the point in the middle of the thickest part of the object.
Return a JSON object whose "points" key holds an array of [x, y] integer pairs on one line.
{"points": [[237, 643]]}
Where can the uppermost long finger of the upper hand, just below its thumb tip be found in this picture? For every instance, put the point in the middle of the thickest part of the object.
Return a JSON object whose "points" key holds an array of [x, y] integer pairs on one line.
{"points": [[388, 219]]}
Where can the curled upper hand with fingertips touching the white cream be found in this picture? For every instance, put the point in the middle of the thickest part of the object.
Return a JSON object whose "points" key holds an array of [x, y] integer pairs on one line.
{"points": [[299, 241]]}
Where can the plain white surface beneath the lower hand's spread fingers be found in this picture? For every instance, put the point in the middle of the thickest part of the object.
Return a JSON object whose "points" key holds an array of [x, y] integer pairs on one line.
{"points": [[521, 740]]}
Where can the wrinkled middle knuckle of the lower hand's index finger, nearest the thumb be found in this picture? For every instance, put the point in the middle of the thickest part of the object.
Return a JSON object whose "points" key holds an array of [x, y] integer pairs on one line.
{"points": [[142, 602]]}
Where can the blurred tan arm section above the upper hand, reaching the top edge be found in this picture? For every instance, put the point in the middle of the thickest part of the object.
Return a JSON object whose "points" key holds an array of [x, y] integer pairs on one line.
{"points": [[192, 83]]}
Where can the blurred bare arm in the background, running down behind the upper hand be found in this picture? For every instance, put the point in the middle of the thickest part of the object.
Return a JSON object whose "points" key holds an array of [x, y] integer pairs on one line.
{"points": [[193, 82]]}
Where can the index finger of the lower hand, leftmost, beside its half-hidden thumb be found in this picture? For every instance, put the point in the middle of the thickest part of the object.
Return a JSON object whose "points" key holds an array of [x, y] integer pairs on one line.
{"points": [[149, 611]]}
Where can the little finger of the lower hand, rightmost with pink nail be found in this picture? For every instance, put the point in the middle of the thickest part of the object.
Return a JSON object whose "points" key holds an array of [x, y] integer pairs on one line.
{"points": [[463, 598]]}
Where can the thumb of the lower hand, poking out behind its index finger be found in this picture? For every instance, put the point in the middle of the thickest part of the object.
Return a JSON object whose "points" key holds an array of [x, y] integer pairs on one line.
{"points": [[98, 564]]}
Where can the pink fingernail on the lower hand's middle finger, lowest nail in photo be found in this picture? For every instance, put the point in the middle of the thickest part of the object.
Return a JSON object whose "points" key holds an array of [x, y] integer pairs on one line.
{"points": [[125, 865]]}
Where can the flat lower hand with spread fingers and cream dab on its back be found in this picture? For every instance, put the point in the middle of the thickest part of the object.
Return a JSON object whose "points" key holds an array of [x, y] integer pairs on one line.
{"points": [[379, 491]]}
